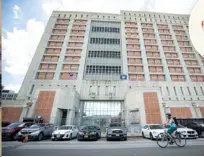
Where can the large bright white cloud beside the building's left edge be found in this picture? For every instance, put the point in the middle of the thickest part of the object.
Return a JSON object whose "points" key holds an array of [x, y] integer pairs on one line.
{"points": [[19, 46]]}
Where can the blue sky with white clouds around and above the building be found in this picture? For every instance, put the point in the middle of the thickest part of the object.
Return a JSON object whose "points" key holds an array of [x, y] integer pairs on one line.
{"points": [[24, 21]]}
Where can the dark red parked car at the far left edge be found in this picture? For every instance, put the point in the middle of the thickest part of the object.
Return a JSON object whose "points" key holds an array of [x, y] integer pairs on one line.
{"points": [[10, 132]]}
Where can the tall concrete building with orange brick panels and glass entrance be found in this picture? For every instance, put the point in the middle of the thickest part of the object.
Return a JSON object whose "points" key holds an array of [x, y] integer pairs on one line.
{"points": [[94, 68]]}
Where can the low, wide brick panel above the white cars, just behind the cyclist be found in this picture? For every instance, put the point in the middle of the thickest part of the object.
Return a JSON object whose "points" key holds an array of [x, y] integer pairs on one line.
{"points": [[181, 112]]}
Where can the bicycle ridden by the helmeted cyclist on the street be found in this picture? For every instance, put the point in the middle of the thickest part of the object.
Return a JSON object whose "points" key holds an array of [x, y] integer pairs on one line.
{"points": [[163, 139]]}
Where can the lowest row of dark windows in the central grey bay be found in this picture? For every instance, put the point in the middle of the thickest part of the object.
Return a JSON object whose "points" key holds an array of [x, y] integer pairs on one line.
{"points": [[103, 69]]}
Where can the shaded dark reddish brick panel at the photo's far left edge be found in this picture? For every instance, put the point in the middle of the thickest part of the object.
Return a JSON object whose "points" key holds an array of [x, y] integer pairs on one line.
{"points": [[11, 114]]}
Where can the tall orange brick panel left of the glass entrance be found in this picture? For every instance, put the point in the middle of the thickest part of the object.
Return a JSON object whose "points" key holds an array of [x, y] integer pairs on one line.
{"points": [[44, 104]]}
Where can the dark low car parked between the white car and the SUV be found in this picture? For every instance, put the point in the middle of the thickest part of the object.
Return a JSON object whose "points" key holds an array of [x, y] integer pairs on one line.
{"points": [[89, 133]]}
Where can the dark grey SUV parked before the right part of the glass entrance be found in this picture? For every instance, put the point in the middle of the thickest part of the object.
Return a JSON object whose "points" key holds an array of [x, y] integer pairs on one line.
{"points": [[116, 131]]}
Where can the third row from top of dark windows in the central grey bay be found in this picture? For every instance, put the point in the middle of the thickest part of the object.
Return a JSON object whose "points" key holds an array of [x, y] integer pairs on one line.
{"points": [[104, 54]]}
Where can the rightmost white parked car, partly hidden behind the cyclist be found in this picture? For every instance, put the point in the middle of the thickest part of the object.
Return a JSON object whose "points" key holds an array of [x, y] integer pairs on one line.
{"points": [[186, 132]]}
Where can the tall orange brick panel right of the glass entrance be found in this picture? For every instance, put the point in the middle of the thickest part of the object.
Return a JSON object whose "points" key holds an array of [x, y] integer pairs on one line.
{"points": [[152, 109]]}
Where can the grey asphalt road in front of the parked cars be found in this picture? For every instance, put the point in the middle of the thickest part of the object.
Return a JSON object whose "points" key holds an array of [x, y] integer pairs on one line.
{"points": [[131, 147]]}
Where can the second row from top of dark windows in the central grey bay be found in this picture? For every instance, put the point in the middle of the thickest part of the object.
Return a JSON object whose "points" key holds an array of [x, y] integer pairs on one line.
{"points": [[104, 41]]}
